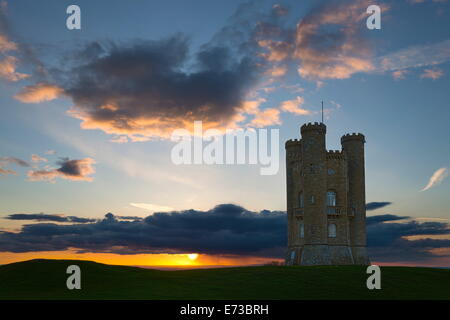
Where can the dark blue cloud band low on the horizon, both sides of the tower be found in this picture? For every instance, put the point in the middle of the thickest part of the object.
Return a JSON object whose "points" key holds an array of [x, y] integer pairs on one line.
{"points": [[225, 229]]}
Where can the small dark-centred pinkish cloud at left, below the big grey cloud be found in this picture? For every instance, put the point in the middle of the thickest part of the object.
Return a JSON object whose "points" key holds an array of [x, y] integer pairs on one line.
{"points": [[75, 170]]}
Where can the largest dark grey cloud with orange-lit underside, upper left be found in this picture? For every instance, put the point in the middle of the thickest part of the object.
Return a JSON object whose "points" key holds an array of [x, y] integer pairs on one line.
{"points": [[152, 87]]}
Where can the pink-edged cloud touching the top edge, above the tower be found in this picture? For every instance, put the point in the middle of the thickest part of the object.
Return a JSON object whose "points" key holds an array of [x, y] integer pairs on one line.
{"points": [[329, 44]]}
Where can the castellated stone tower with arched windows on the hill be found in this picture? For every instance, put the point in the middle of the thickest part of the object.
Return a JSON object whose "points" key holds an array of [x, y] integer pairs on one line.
{"points": [[325, 199]]}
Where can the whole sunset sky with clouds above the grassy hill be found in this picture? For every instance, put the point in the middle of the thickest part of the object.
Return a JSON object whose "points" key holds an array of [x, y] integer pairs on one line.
{"points": [[87, 117]]}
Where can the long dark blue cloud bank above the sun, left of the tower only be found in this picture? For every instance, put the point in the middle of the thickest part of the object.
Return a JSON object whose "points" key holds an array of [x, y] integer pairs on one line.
{"points": [[225, 229]]}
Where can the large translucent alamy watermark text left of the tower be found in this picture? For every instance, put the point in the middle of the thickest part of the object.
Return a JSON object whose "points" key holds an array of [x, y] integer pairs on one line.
{"points": [[234, 146]]}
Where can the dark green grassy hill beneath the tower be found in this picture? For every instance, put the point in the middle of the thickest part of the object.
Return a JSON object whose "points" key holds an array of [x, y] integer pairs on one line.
{"points": [[46, 279]]}
